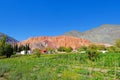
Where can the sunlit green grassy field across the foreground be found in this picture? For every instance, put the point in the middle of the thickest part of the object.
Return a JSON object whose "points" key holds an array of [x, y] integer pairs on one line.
{"points": [[73, 66]]}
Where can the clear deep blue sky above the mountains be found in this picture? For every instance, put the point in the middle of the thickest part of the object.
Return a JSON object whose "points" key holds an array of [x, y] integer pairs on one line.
{"points": [[22, 19]]}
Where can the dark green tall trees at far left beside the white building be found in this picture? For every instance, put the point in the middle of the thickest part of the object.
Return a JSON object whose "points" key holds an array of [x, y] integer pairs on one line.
{"points": [[7, 49]]}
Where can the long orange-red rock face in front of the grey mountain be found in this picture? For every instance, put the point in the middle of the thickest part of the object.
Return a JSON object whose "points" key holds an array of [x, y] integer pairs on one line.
{"points": [[55, 42]]}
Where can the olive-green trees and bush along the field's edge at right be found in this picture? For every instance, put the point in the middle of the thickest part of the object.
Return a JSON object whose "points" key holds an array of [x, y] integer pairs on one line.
{"points": [[93, 50]]}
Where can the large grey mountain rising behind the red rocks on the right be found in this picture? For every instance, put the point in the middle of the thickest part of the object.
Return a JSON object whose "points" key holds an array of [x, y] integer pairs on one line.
{"points": [[103, 34]]}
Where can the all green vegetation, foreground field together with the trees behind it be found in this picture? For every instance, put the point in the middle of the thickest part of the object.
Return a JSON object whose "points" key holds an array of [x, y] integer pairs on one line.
{"points": [[92, 65]]}
